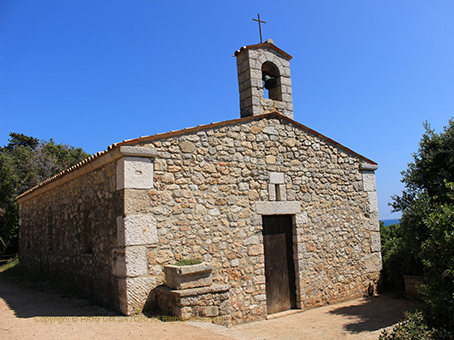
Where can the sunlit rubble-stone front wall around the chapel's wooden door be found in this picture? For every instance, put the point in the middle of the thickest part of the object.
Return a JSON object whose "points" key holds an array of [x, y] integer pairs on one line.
{"points": [[206, 188]]}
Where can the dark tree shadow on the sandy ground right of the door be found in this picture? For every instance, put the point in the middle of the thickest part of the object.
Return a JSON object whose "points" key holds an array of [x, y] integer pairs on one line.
{"points": [[376, 312]]}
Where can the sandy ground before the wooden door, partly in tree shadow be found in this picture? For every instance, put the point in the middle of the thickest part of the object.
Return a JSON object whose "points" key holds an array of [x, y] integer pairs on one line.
{"points": [[357, 319]]}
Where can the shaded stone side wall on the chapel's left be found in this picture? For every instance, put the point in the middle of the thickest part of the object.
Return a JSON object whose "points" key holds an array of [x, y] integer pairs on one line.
{"points": [[68, 234]]}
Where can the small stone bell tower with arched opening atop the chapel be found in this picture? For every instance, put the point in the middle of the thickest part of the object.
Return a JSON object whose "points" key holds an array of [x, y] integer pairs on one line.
{"points": [[264, 80]]}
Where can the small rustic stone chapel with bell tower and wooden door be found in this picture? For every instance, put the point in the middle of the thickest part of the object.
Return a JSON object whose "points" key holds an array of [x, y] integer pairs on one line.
{"points": [[282, 216]]}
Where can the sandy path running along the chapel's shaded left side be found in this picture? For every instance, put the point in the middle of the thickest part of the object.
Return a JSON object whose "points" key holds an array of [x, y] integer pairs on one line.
{"points": [[27, 313]]}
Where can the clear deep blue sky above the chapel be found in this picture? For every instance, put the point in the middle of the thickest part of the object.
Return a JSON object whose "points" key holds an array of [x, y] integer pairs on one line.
{"points": [[91, 73]]}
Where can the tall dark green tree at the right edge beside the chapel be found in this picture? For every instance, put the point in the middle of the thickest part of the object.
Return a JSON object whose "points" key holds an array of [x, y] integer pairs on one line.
{"points": [[426, 232]]}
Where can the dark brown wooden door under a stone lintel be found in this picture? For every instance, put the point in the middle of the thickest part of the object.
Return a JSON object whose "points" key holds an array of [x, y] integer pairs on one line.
{"points": [[279, 267]]}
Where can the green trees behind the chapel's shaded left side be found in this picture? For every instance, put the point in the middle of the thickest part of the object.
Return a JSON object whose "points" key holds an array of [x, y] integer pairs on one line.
{"points": [[25, 162]]}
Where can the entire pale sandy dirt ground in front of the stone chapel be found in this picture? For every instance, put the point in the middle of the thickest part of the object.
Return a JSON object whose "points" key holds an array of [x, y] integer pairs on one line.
{"points": [[30, 312]]}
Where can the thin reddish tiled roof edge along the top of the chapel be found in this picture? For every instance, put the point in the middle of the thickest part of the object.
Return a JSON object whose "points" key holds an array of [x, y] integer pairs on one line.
{"points": [[90, 160]]}
